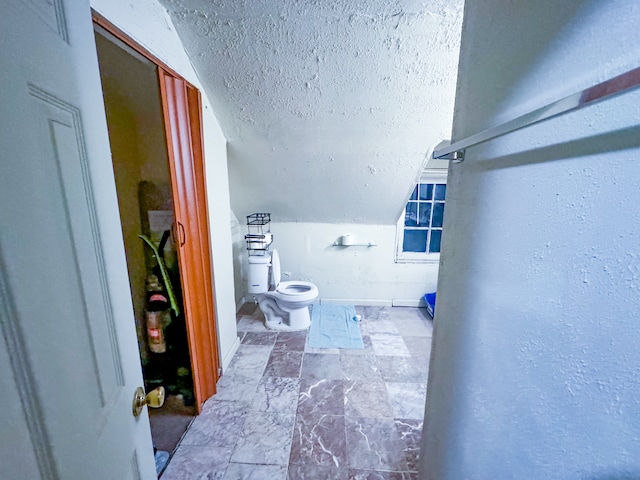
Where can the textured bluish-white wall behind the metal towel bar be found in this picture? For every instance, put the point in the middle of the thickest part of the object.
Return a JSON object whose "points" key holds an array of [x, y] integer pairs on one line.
{"points": [[534, 370]]}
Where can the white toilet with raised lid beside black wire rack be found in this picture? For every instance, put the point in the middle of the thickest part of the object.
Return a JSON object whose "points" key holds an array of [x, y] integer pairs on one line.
{"points": [[286, 307]]}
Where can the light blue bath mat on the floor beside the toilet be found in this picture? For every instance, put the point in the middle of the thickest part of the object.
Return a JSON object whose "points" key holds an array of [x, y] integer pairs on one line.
{"points": [[334, 326]]}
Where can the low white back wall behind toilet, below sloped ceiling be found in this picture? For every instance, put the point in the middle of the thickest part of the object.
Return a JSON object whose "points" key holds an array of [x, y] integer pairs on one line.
{"points": [[354, 275]]}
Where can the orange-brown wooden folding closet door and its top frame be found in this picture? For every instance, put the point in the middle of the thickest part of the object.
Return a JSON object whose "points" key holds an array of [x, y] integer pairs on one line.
{"points": [[182, 111]]}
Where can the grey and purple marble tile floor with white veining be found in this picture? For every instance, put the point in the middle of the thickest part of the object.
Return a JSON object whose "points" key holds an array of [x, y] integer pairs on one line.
{"points": [[285, 411]]}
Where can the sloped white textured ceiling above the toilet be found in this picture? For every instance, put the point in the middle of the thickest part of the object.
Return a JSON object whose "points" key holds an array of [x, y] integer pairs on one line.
{"points": [[330, 108]]}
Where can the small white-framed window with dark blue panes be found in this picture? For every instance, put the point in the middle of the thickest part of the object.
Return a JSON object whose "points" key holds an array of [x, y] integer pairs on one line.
{"points": [[420, 227]]}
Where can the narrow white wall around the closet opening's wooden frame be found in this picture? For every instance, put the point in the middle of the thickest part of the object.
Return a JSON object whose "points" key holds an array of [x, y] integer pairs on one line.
{"points": [[146, 22]]}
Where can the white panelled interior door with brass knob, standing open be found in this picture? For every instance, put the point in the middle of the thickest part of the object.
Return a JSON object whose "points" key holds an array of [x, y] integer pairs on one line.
{"points": [[69, 362]]}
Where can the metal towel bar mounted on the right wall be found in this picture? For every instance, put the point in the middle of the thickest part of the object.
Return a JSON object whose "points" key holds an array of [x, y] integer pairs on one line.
{"points": [[604, 90]]}
